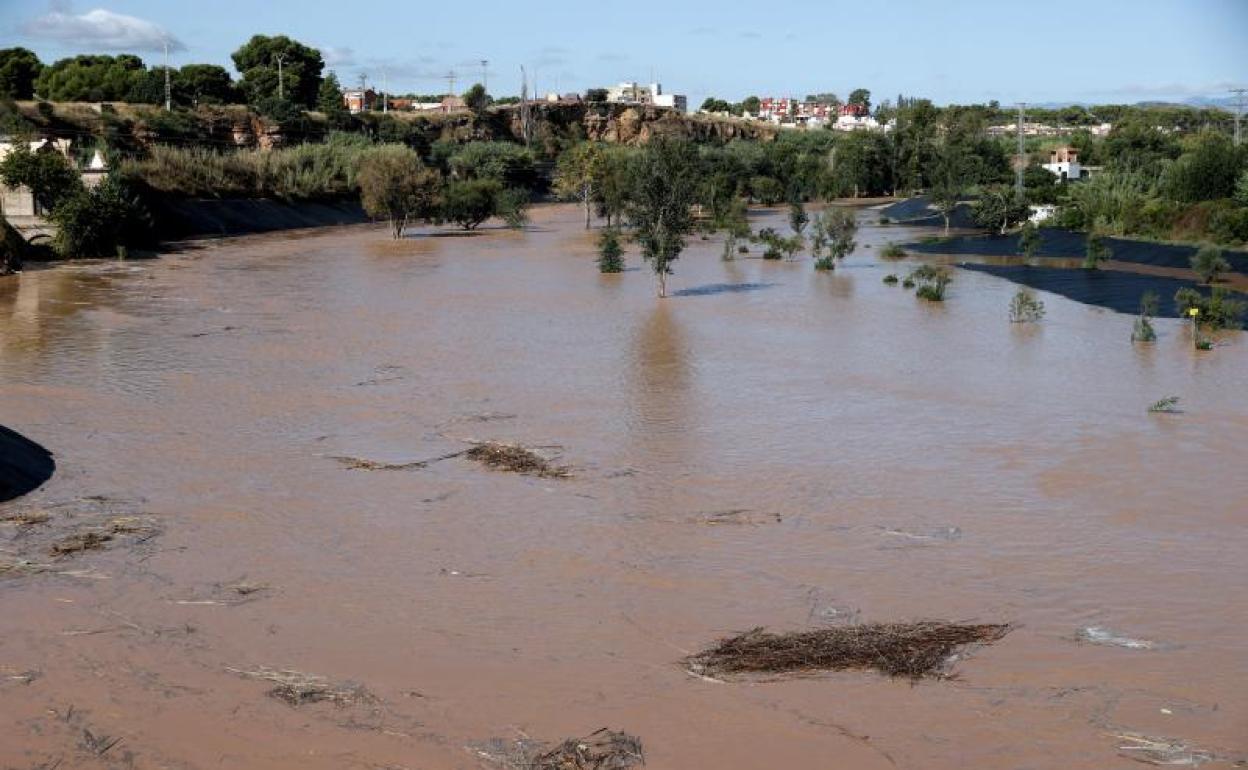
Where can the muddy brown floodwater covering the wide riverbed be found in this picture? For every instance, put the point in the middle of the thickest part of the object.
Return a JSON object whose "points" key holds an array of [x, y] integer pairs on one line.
{"points": [[767, 447]]}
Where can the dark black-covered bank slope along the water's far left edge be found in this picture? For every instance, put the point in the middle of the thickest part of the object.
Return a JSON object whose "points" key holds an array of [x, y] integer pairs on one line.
{"points": [[188, 219]]}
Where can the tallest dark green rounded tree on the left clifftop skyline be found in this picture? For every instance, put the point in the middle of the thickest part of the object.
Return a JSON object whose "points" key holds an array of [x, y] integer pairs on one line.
{"points": [[301, 69]]}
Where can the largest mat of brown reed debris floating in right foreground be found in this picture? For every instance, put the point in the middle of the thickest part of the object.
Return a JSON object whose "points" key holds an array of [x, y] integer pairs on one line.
{"points": [[898, 650]]}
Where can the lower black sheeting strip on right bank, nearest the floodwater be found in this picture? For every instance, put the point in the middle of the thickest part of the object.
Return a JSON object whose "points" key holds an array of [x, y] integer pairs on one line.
{"points": [[1110, 289]]}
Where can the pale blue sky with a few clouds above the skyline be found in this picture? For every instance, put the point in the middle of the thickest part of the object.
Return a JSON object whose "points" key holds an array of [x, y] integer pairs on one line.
{"points": [[953, 52]]}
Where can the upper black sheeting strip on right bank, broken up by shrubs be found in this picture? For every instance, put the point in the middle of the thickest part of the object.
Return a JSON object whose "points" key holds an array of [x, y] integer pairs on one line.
{"points": [[1071, 245]]}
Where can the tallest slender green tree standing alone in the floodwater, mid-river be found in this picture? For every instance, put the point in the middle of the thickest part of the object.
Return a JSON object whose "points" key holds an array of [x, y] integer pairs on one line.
{"points": [[665, 188]]}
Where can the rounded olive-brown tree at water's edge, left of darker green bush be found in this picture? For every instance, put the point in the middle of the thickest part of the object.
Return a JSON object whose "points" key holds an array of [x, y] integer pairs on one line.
{"points": [[395, 185]]}
